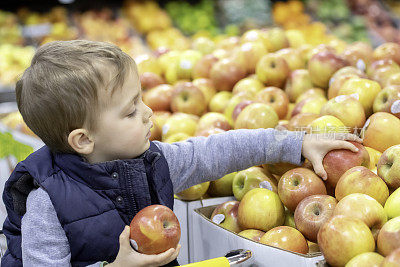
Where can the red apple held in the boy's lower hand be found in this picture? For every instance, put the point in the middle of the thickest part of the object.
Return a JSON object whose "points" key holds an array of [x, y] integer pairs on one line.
{"points": [[155, 229]]}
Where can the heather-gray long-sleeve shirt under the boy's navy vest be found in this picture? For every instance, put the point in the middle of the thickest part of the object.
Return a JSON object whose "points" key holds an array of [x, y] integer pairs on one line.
{"points": [[197, 160]]}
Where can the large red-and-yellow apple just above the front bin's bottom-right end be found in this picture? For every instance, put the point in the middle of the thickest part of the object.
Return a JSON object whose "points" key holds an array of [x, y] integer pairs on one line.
{"points": [[342, 238]]}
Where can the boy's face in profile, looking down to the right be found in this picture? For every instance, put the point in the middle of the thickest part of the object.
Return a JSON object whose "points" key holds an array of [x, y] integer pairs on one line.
{"points": [[123, 126]]}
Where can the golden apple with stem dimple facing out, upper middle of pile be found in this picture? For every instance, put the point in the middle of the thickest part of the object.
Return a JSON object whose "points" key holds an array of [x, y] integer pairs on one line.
{"points": [[272, 70]]}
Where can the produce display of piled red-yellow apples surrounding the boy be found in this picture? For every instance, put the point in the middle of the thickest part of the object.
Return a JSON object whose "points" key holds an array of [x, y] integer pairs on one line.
{"points": [[315, 70]]}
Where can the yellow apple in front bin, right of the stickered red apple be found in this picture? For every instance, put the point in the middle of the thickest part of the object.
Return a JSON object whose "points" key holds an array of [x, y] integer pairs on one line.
{"points": [[261, 209]]}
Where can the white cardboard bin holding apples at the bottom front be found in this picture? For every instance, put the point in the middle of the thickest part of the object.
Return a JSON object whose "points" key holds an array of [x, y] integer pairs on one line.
{"points": [[211, 241]]}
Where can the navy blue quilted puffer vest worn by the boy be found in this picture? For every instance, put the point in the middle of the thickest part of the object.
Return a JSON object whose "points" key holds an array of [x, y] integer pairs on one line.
{"points": [[93, 201]]}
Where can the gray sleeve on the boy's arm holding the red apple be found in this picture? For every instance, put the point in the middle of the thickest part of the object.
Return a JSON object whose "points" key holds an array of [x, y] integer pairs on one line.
{"points": [[44, 242]]}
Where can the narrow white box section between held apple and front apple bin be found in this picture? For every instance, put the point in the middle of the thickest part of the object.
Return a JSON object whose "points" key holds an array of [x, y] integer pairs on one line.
{"points": [[184, 211]]}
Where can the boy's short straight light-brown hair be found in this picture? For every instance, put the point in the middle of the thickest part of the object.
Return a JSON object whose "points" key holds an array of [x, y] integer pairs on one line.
{"points": [[59, 91]]}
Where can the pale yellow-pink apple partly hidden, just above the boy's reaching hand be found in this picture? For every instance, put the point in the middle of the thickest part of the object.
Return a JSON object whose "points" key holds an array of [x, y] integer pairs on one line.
{"points": [[347, 109]]}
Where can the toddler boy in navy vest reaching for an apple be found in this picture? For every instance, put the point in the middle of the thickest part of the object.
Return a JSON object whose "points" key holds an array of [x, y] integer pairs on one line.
{"points": [[68, 202]]}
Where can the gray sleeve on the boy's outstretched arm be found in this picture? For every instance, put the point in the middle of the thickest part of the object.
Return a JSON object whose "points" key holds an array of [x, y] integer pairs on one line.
{"points": [[202, 159]]}
